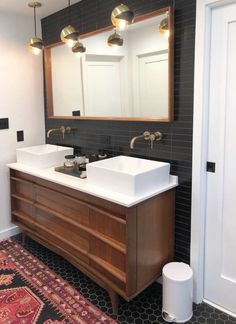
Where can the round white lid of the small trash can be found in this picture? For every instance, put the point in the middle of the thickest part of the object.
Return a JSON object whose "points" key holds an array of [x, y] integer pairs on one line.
{"points": [[177, 271]]}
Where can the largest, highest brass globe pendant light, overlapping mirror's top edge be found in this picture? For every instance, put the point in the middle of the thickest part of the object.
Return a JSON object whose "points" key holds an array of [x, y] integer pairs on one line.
{"points": [[121, 16]]}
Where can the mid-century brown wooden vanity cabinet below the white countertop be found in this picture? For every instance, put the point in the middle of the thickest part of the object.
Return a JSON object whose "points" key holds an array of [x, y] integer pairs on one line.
{"points": [[122, 249]]}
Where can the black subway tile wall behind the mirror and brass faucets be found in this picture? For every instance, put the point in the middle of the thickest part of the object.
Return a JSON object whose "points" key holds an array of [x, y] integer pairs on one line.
{"points": [[114, 136]]}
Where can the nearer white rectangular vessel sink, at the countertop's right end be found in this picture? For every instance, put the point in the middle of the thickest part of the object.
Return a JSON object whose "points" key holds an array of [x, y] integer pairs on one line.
{"points": [[128, 175]]}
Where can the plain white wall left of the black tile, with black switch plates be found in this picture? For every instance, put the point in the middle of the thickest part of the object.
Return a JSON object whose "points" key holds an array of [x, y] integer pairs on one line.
{"points": [[21, 100]]}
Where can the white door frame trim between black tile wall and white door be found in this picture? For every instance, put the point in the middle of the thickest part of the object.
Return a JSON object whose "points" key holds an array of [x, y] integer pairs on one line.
{"points": [[200, 140]]}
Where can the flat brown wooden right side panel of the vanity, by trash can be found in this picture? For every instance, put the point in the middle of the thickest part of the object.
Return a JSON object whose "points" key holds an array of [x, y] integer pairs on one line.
{"points": [[155, 236]]}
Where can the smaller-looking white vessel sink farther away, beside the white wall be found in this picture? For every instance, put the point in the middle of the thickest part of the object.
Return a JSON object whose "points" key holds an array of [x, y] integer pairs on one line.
{"points": [[43, 156]]}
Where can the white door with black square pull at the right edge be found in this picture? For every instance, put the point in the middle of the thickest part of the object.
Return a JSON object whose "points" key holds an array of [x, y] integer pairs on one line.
{"points": [[220, 253]]}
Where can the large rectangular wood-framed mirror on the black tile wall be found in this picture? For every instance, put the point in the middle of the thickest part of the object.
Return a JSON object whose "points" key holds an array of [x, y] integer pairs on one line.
{"points": [[133, 82]]}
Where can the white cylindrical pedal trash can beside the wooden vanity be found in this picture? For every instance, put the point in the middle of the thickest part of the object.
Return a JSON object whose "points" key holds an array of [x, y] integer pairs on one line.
{"points": [[177, 298]]}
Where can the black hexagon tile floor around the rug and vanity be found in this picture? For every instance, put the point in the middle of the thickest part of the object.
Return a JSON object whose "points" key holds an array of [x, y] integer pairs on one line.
{"points": [[144, 309]]}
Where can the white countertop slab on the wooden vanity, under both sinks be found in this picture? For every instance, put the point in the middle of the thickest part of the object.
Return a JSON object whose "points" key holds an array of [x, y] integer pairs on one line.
{"points": [[81, 185]]}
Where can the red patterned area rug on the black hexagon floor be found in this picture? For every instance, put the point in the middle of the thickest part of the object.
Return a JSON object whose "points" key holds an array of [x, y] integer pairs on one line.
{"points": [[32, 293]]}
